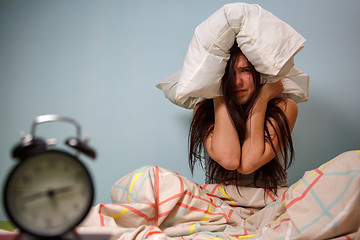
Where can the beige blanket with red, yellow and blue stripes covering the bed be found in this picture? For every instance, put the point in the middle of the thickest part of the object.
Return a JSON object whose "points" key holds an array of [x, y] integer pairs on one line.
{"points": [[156, 203]]}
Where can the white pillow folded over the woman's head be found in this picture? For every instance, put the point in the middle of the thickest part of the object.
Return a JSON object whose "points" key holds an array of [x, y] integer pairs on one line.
{"points": [[269, 44]]}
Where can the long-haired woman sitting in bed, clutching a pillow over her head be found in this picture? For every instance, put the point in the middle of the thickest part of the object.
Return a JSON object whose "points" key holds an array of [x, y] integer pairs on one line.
{"points": [[246, 131]]}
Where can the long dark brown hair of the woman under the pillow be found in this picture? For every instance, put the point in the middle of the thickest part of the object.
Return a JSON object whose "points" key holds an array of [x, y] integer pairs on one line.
{"points": [[272, 173]]}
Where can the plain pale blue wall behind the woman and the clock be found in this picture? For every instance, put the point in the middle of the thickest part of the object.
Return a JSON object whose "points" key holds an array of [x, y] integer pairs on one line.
{"points": [[98, 62]]}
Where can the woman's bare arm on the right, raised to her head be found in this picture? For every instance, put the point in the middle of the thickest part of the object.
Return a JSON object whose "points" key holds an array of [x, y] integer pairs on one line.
{"points": [[256, 152]]}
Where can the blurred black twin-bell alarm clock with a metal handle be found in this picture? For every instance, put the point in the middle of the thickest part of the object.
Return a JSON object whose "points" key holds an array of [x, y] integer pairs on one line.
{"points": [[50, 191]]}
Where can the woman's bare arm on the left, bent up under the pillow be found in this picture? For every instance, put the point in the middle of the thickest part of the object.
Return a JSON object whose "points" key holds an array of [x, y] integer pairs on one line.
{"points": [[223, 143]]}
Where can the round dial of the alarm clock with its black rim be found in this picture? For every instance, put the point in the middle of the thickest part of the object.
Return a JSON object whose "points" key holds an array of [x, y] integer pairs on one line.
{"points": [[48, 194]]}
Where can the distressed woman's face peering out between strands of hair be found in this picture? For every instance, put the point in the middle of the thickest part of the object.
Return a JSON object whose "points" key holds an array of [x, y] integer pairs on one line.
{"points": [[244, 80]]}
